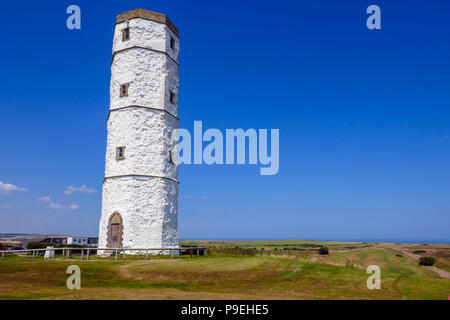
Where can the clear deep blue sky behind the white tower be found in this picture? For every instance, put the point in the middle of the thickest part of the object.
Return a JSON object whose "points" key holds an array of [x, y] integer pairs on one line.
{"points": [[363, 117]]}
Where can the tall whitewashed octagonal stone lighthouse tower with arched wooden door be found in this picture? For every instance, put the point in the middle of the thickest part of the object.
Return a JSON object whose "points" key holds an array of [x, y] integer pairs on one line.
{"points": [[140, 189]]}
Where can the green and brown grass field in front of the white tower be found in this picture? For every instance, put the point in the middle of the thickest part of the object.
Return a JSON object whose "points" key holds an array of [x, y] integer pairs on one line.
{"points": [[278, 274]]}
